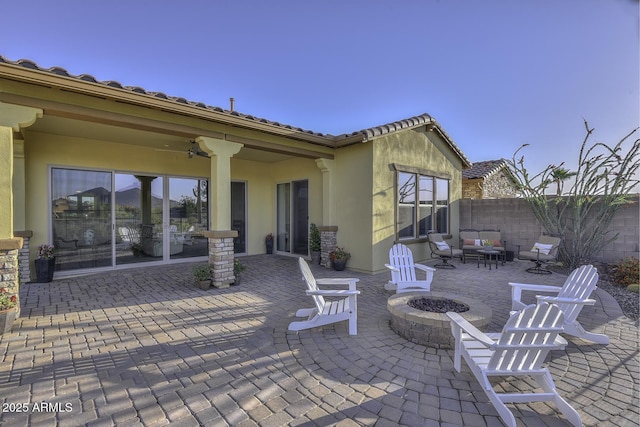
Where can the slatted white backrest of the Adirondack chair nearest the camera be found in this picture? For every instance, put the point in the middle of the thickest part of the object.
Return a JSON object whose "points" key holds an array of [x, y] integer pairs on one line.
{"points": [[527, 338]]}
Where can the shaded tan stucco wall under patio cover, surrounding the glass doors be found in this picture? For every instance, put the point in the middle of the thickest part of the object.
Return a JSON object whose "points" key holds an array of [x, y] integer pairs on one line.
{"points": [[44, 150]]}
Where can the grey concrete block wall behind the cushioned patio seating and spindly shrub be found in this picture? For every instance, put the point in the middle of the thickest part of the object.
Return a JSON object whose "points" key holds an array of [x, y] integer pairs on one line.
{"points": [[514, 219]]}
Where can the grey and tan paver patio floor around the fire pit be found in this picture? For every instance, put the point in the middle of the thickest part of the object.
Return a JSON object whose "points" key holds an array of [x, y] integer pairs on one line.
{"points": [[145, 346]]}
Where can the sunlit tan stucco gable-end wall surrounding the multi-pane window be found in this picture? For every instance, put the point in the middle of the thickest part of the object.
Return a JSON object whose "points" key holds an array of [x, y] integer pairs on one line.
{"points": [[417, 149]]}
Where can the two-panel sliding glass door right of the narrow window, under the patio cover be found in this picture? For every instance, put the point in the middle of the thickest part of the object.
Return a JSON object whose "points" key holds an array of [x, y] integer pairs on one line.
{"points": [[292, 217]]}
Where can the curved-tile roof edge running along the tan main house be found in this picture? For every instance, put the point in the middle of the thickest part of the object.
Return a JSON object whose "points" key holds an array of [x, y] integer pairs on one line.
{"points": [[363, 135]]}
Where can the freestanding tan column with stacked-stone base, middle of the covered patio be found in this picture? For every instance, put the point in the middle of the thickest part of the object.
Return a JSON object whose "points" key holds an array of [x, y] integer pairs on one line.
{"points": [[220, 235]]}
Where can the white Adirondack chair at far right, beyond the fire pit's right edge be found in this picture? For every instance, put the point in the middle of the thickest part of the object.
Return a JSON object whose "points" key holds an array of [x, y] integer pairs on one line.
{"points": [[571, 297]]}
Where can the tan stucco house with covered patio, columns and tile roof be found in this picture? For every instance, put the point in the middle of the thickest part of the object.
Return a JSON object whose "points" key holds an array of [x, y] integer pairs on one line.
{"points": [[115, 176]]}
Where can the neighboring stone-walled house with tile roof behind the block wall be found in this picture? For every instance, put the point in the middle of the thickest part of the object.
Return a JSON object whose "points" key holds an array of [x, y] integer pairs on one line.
{"points": [[490, 179]]}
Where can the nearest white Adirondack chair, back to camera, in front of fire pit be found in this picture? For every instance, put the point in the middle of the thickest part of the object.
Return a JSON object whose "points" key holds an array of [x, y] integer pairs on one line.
{"points": [[519, 351]]}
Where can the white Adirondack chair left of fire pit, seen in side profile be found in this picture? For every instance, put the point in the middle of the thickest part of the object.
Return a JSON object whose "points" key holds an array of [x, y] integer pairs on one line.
{"points": [[326, 312]]}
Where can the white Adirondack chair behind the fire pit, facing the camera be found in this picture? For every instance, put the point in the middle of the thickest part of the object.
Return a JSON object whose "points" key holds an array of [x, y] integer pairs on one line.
{"points": [[403, 271]]}
